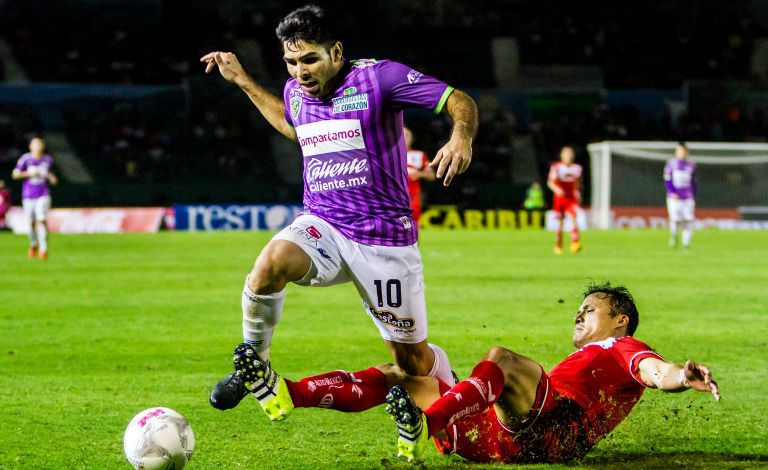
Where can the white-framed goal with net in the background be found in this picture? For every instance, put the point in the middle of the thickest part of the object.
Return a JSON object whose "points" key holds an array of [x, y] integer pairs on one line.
{"points": [[628, 174]]}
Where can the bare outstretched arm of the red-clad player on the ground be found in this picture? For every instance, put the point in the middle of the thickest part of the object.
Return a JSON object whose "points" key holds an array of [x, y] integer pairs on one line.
{"points": [[671, 377]]}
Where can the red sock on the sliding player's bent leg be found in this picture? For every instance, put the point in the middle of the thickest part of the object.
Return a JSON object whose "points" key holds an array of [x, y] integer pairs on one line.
{"points": [[468, 397]]}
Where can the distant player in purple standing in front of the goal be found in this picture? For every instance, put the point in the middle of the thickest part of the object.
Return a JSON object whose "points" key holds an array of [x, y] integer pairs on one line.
{"points": [[680, 180]]}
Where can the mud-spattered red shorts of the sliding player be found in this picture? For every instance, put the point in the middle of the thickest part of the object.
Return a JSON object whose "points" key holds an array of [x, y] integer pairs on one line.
{"points": [[554, 431]]}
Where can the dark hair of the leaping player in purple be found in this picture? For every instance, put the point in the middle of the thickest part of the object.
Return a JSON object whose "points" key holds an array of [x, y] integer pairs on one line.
{"points": [[309, 23]]}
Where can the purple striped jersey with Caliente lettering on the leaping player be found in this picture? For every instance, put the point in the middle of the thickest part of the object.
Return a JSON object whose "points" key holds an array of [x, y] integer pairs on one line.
{"points": [[355, 165]]}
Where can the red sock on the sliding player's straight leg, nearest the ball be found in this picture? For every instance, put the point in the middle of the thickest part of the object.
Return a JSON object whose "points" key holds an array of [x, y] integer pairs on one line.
{"points": [[340, 390]]}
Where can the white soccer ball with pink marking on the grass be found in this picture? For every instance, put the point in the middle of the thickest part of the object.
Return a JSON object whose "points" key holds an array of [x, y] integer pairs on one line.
{"points": [[158, 439]]}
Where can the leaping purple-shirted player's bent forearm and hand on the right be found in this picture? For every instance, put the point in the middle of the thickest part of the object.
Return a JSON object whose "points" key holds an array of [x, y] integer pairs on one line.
{"points": [[454, 157]]}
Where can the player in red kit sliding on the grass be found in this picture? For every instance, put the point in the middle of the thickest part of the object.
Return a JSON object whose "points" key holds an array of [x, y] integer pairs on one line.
{"points": [[510, 410]]}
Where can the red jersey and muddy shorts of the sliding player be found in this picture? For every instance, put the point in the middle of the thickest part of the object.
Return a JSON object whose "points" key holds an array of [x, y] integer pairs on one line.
{"points": [[578, 403]]}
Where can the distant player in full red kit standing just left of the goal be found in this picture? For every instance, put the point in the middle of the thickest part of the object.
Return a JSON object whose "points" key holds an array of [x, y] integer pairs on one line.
{"points": [[565, 181]]}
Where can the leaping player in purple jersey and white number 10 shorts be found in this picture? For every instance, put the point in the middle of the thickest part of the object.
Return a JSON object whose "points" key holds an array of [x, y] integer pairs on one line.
{"points": [[357, 226]]}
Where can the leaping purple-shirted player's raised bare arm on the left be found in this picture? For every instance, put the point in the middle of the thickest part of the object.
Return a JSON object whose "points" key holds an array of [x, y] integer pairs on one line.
{"points": [[270, 106]]}
